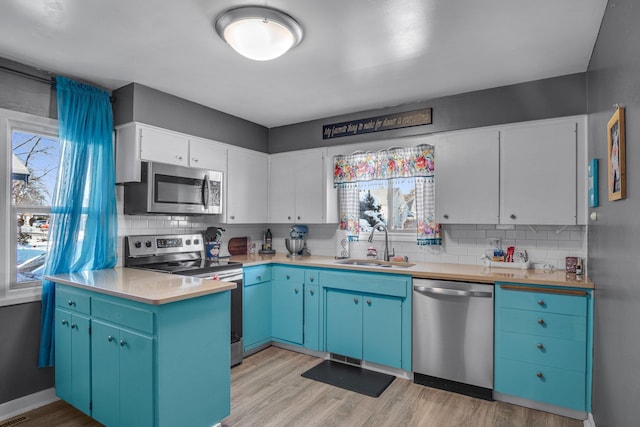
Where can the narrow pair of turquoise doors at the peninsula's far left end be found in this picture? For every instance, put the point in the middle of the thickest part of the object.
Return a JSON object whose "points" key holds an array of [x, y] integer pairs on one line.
{"points": [[73, 367]]}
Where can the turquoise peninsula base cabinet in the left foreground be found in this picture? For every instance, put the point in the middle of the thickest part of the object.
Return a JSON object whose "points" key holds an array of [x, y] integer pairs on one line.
{"points": [[151, 364]]}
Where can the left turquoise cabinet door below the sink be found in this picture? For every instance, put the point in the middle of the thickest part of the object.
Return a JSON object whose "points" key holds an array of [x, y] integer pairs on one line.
{"points": [[344, 323]]}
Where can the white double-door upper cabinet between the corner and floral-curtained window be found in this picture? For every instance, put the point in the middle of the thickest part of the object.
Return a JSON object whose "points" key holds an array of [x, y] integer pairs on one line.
{"points": [[296, 187]]}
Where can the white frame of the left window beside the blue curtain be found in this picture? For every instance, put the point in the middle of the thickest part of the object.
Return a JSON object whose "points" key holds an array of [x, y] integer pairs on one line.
{"points": [[10, 121]]}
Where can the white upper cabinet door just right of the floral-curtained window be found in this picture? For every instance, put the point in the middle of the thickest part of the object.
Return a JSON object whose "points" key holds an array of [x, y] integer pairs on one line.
{"points": [[467, 177]]}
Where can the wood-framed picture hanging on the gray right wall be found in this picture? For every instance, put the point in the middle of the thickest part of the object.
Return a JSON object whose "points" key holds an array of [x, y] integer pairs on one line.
{"points": [[617, 177]]}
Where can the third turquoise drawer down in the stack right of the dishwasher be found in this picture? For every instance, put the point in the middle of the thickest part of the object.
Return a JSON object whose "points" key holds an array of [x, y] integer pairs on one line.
{"points": [[548, 351]]}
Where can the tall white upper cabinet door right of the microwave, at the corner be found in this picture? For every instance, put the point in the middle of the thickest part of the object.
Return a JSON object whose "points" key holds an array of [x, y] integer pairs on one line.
{"points": [[247, 187]]}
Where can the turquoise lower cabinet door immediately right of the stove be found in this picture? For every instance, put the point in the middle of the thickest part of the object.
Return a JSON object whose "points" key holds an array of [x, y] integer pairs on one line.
{"points": [[256, 315]]}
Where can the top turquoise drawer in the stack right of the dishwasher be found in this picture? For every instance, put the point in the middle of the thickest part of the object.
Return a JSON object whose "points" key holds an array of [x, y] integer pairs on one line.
{"points": [[543, 301]]}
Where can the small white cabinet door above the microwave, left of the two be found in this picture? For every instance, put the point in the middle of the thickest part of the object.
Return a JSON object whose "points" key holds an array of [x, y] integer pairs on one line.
{"points": [[165, 147]]}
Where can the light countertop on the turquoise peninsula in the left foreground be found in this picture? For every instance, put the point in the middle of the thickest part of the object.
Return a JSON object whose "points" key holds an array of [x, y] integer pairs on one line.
{"points": [[140, 285]]}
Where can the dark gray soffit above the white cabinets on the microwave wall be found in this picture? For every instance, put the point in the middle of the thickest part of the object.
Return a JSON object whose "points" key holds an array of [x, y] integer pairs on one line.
{"points": [[136, 102]]}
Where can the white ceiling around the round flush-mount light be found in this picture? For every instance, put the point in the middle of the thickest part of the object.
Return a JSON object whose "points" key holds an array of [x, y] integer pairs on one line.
{"points": [[355, 55]]}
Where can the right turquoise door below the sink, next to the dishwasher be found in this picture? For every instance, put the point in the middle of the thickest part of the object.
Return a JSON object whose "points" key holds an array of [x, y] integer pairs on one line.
{"points": [[382, 323]]}
